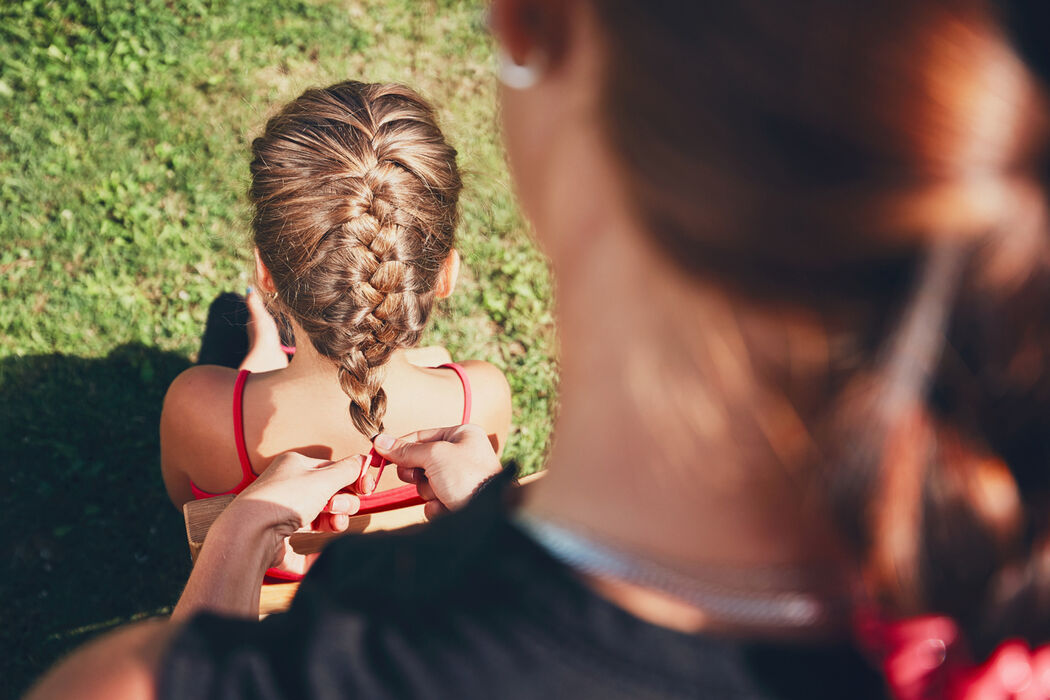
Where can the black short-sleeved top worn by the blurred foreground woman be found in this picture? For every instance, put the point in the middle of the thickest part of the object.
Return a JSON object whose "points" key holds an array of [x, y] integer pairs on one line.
{"points": [[470, 607]]}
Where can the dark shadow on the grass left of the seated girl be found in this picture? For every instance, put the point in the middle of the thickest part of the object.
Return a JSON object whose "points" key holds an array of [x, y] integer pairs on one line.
{"points": [[91, 540]]}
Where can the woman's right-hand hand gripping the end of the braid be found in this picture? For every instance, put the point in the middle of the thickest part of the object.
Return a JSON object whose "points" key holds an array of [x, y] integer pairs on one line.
{"points": [[447, 465]]}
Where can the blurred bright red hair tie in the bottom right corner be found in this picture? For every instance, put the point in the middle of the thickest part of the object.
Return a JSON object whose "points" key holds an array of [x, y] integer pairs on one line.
{"points": [[927, 657]]}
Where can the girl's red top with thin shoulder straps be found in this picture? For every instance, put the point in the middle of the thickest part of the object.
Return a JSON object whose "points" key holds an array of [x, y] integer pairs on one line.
{"points": [[396, 498]]}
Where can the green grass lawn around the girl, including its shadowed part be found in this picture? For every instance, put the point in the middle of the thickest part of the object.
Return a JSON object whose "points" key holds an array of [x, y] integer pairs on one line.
{"points": [[124, 128]]}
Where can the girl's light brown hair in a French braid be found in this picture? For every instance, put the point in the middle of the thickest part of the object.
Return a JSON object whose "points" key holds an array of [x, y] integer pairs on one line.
{"points": [[355, 196]]}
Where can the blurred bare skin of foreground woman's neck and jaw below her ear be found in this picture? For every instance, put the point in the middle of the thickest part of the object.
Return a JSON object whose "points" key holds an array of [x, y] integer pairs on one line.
{"points": [[647, 456]]}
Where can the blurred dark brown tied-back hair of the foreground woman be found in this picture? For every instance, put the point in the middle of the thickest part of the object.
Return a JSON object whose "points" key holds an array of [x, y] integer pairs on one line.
{"points": [[884, 166]]}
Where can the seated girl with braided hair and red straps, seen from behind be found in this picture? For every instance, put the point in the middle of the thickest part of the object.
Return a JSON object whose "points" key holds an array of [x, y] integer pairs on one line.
{"points": [[355, 194]]}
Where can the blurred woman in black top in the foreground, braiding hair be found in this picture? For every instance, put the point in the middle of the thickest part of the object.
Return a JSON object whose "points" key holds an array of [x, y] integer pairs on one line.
{"points": [[803, 292]]}
